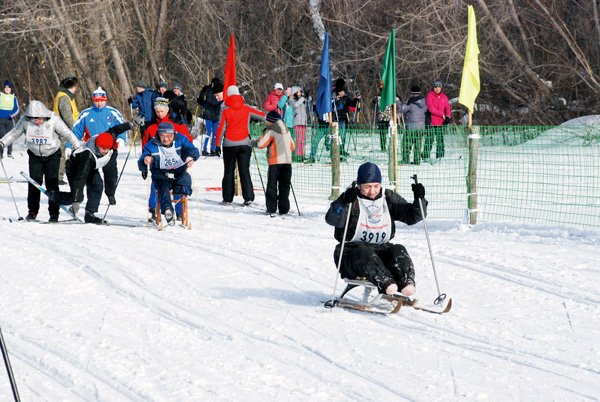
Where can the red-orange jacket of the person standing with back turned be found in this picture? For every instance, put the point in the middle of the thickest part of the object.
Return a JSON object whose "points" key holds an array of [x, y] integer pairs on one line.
{"points": [[236, 119]]}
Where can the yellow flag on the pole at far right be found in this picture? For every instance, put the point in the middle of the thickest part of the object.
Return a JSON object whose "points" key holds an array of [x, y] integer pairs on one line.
{"points": [[470, 85]]}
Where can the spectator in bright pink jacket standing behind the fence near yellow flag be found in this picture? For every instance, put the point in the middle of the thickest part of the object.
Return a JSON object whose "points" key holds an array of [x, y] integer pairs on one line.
{"points": [[439, 107]]}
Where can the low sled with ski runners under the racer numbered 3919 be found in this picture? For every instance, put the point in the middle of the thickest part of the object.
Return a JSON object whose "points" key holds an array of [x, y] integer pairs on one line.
{"points": [[373, 304]]}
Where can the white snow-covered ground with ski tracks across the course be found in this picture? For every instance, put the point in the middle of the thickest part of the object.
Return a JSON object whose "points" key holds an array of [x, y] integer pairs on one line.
{"points": [[232, 309]]}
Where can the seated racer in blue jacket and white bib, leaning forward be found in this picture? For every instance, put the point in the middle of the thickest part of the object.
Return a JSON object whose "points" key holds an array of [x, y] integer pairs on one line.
{"points": [[169, 154]]}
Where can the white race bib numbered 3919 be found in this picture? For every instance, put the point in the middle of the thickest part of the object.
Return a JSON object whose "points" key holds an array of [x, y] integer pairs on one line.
{"points": [[374, 222]]}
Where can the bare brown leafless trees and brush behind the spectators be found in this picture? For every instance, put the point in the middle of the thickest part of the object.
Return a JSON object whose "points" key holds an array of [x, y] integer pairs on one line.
{"points": [[539, 59]]}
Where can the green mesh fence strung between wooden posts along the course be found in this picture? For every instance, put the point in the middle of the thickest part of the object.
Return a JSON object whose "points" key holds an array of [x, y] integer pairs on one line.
{"points": [[524, 174]]}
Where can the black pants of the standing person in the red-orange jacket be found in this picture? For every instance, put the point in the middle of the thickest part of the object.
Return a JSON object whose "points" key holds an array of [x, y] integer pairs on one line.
{"points": [[239, 154]]}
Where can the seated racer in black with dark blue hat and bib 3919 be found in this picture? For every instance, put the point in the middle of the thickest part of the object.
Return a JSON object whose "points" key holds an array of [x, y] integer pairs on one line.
{"points": [[367, 251]]}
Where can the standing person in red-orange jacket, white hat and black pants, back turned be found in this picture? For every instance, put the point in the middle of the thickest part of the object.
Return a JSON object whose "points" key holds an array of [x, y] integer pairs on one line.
{"points": [[237, 144]]}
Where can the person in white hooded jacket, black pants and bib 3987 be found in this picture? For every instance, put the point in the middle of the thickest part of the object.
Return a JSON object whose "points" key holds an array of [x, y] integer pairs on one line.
{"points": [[43, 131]]}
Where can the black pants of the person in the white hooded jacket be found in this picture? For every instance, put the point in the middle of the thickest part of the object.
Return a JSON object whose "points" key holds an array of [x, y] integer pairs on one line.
{"points": [[43, 169]]}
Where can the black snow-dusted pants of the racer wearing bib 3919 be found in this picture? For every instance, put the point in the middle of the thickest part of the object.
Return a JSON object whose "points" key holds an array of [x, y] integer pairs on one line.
{"points": [[381, 264]]}
